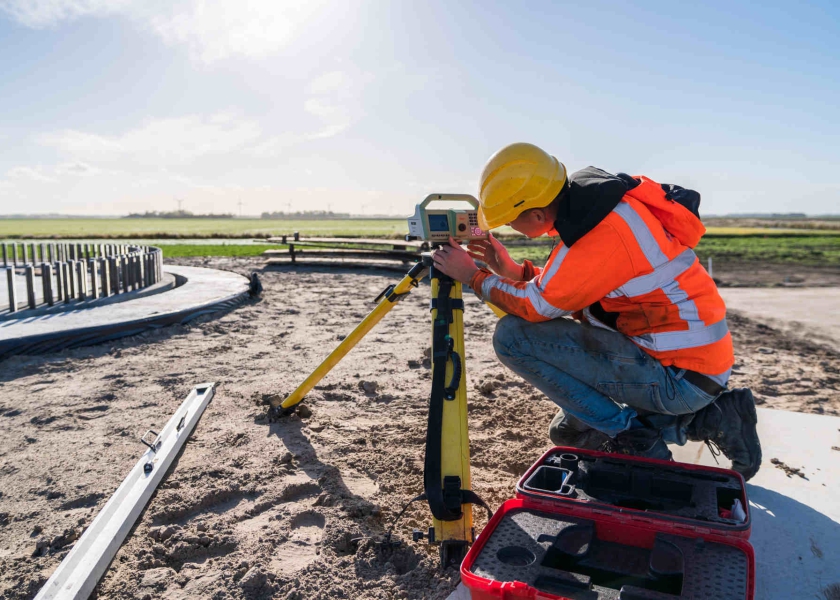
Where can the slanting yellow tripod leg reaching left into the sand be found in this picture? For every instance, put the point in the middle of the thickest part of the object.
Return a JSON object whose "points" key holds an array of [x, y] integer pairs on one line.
{"points": [[389, 298]]}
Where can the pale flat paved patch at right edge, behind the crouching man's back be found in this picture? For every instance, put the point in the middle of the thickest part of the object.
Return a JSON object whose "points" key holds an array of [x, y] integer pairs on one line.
{"points": [[812, 313]]}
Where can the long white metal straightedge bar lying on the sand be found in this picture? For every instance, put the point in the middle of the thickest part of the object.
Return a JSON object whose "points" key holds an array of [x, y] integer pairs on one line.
{"points": [[81, 569]]}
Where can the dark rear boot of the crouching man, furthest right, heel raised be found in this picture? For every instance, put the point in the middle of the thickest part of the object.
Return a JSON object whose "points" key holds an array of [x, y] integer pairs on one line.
{"points": [[730, 424]]}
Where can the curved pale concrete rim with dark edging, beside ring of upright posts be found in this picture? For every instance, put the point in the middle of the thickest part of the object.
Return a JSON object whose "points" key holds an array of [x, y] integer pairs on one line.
{"points": [[205, 290]]}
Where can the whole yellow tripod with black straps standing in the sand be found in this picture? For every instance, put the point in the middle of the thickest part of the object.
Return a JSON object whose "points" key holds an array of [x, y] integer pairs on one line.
{"points": [[446, 470]]}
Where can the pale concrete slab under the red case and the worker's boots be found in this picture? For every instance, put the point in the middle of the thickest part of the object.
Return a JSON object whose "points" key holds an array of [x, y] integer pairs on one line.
{"points": [[795, 520]]}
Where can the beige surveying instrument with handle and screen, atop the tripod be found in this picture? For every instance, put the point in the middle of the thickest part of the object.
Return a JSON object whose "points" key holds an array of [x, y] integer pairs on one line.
{"points": [[437, 225]]}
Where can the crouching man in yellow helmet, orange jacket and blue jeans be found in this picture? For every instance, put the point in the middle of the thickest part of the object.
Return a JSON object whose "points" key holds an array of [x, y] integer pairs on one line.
{"points": [[622, 328]]}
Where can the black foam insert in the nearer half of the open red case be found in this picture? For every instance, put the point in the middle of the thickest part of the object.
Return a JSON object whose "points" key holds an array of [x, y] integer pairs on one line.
{"points": [[566, 557]]}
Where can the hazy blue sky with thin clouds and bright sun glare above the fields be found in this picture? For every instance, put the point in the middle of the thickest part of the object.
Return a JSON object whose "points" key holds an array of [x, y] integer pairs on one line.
{"points": [[118, 106]]}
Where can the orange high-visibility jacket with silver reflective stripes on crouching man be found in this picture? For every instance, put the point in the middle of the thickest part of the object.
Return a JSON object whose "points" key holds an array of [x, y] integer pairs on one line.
{"points": [[636, 266]]}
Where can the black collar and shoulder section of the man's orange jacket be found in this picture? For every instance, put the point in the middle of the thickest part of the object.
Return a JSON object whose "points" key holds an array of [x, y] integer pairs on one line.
{"points": [[591, 195]]}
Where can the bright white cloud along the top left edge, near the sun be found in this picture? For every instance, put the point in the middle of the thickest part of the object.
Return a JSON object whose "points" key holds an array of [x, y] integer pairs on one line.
{"points": [[211, 30]]}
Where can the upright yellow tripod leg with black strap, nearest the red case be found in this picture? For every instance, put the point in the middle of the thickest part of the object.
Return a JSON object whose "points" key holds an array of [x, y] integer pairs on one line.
{"points": [[455, 535]]}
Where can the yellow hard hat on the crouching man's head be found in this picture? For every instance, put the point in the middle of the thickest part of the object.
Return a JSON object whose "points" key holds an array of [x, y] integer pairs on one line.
{"points": [[518, 177]]}
